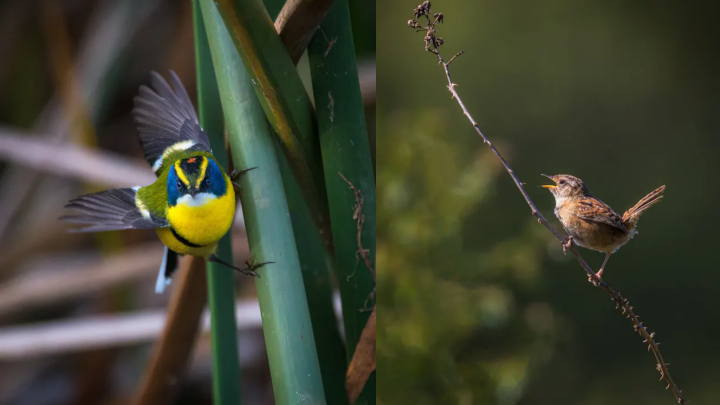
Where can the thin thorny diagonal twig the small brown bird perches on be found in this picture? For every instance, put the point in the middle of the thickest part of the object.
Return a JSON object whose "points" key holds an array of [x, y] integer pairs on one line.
{"points": [[432, 44]]}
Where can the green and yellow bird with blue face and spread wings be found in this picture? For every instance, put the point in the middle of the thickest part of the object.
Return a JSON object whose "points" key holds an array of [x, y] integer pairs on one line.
{"points": [[192, 203]]}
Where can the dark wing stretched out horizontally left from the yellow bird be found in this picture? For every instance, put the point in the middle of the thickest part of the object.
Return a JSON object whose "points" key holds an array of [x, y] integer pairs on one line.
{"points": [[111, 210]]}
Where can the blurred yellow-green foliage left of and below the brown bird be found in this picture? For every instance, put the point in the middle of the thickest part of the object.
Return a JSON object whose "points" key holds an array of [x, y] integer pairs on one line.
{"points": [[450, 312]]}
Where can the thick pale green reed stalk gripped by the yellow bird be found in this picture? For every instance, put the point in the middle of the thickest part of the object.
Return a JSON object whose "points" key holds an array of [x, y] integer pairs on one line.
{"points": [[287, 326]]}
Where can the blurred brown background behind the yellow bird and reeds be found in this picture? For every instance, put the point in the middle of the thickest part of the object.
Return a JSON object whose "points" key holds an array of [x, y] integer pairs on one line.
{"points": [[78, 313]]}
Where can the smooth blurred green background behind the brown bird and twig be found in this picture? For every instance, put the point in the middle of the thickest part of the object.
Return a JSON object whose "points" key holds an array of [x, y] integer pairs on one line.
{"points": [[478, 303]]}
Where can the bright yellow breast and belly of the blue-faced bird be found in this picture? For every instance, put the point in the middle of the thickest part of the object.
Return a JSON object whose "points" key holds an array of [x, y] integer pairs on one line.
{"points": [[201, 221]]}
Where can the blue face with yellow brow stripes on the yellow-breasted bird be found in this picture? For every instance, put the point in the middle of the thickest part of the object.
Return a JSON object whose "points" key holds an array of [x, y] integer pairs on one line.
{"points": [[194, 176]]}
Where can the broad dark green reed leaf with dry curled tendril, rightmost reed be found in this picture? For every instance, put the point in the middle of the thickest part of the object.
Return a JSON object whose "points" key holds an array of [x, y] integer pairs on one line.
{"points": [[346, 151]]}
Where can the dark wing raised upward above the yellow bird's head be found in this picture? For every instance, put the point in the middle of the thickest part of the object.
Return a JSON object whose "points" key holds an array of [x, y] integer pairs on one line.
{"points": [[166, 121]]}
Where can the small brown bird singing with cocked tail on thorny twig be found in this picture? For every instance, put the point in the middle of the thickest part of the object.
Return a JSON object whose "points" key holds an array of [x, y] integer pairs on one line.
{"points": [[590, 222]]}
